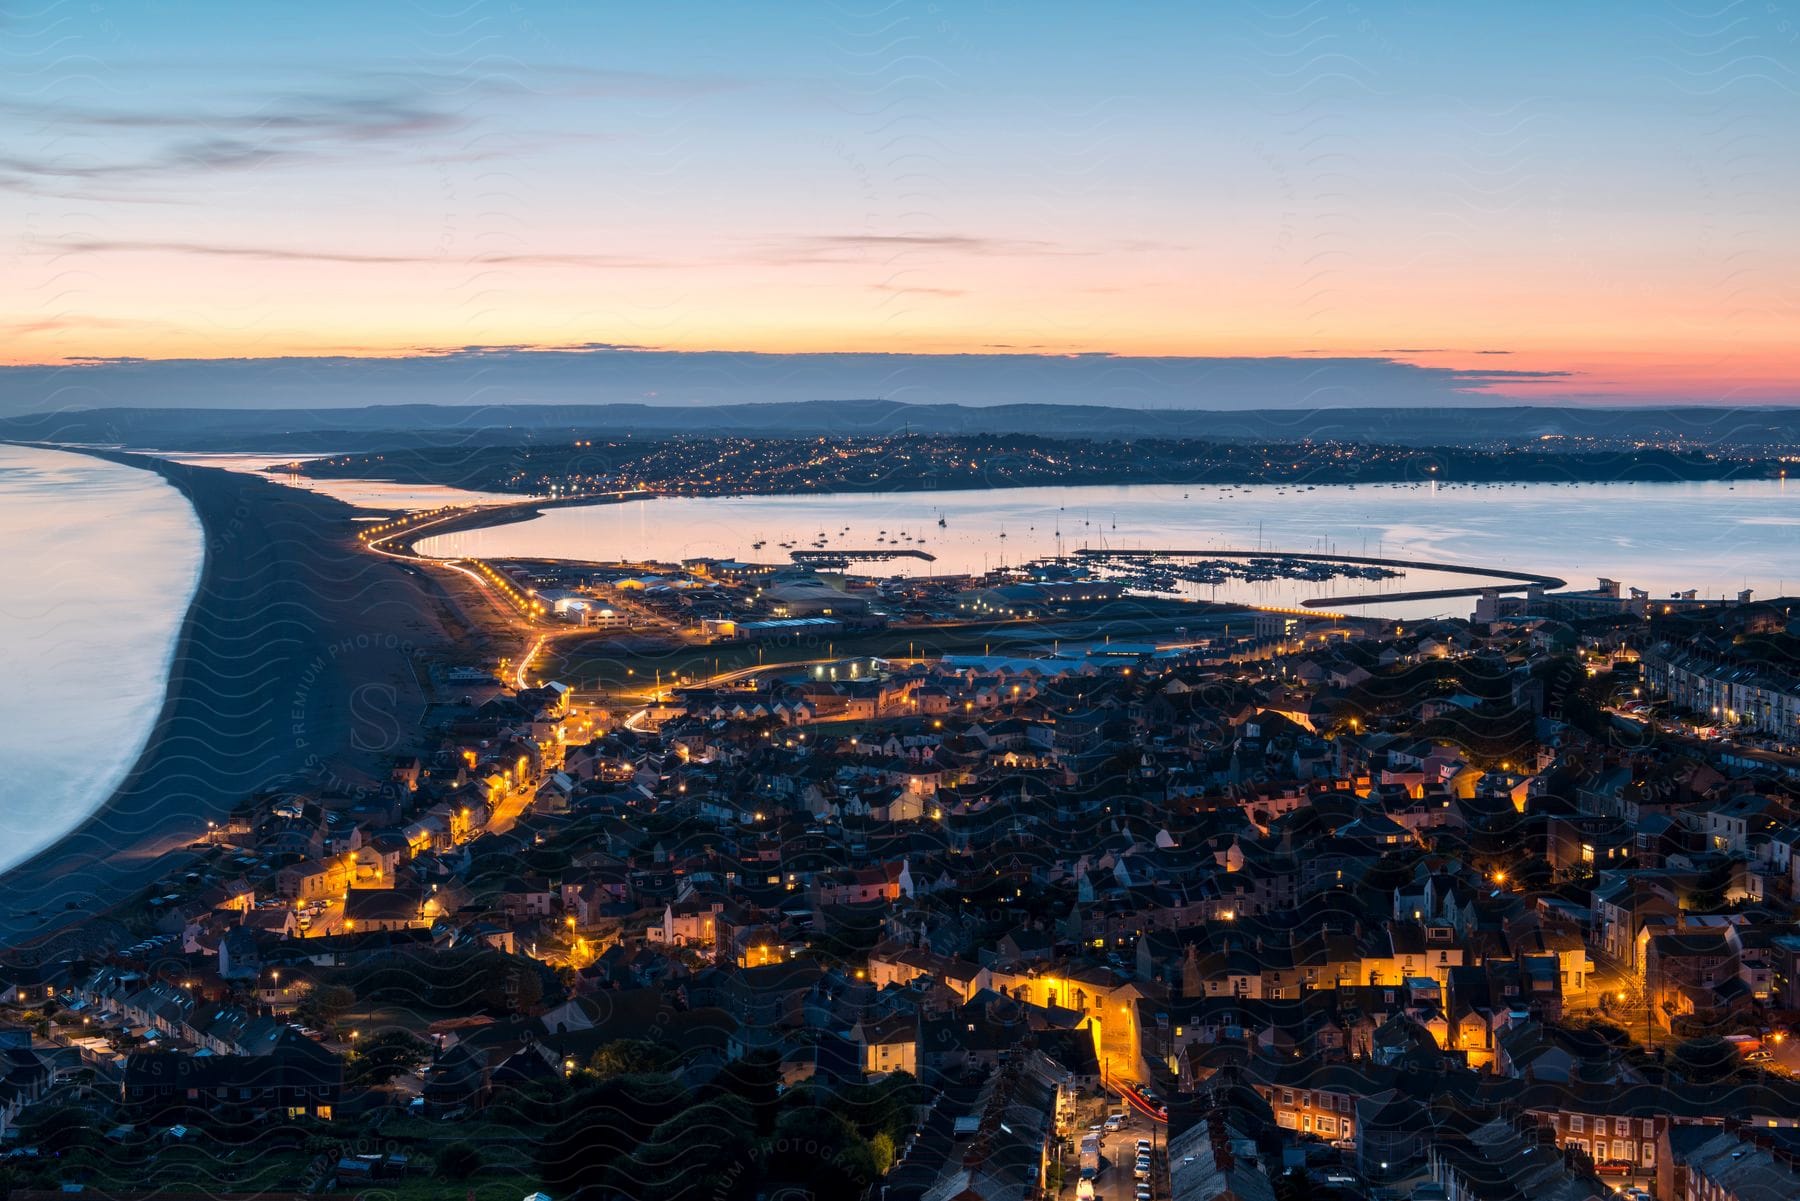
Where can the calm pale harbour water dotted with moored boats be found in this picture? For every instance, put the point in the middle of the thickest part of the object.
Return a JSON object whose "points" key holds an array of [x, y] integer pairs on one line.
{"points": [[1662, 537]]}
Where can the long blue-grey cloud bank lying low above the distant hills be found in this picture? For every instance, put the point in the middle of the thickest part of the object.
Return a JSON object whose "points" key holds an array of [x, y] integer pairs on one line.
{"points": [[685, 379]]}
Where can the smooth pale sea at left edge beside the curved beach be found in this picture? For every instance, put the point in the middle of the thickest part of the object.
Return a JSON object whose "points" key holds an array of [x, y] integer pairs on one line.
{"points": [[102, 563]]}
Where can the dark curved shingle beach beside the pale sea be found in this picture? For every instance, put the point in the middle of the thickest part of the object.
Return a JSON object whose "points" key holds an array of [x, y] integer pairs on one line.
{"points": [[287, 628]]}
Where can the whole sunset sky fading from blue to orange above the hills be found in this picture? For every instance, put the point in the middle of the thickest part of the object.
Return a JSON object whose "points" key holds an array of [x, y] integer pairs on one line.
{"points": [[1538, 203]]}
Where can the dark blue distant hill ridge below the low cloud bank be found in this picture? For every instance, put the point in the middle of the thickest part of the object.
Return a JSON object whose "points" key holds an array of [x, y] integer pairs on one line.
{"points": [[447, 426]]}
